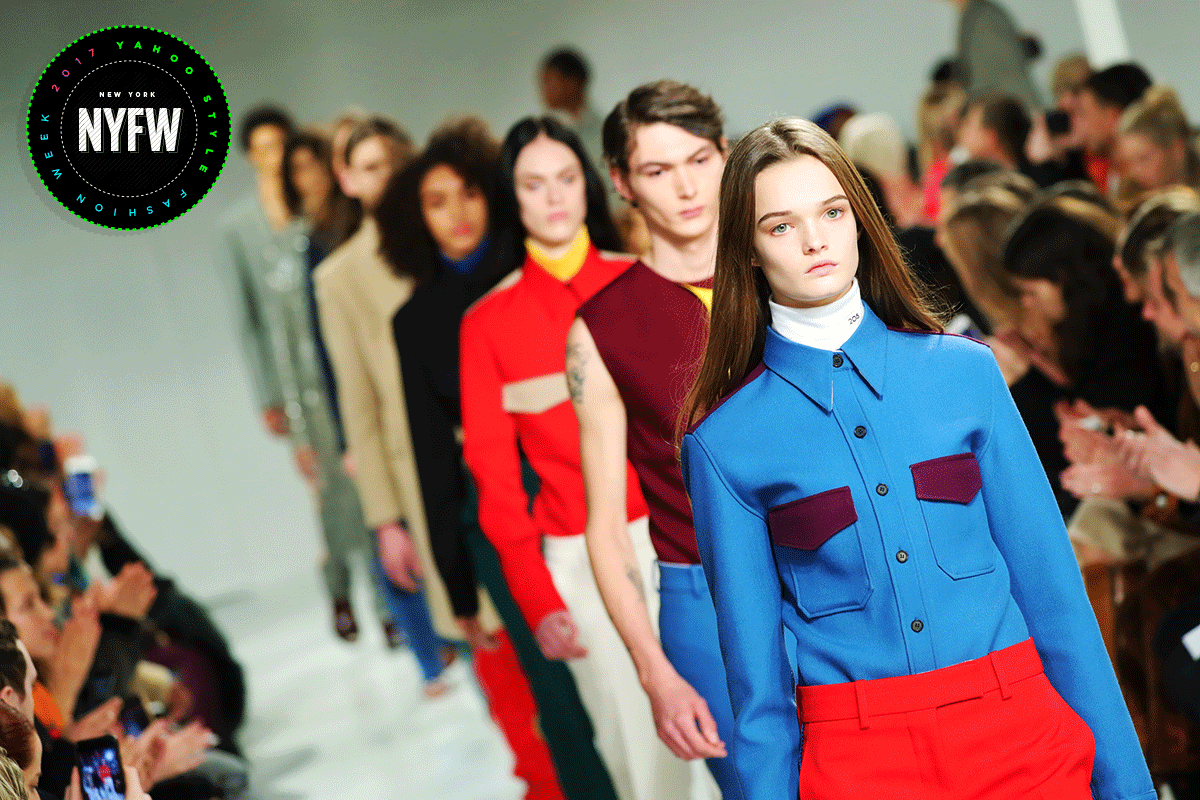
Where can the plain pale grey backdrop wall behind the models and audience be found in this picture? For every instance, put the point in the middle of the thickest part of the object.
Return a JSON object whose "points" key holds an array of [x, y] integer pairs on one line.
{"points": [[128, 336]]}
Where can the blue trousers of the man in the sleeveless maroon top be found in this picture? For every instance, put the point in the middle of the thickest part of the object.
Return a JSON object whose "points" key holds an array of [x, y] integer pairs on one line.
{"points": [[688, 629]]}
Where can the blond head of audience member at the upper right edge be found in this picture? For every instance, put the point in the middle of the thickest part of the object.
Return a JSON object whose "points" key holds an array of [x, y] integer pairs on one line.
{"points": [[1155, 147]]}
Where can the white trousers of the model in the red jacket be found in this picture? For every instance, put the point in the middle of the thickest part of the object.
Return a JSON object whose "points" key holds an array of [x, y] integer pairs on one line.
{"points": [[641, 767]]}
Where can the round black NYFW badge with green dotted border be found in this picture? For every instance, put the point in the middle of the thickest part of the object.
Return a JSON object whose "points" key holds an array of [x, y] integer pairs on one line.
{"points": [[129, 128]]}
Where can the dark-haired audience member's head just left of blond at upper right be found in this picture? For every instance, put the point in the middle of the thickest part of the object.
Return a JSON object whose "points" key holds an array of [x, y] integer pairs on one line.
{"points": [[1103, 99]]}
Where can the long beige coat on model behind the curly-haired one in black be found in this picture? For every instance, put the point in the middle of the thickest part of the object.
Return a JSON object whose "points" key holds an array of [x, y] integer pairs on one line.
{"points": [[358, 294]]}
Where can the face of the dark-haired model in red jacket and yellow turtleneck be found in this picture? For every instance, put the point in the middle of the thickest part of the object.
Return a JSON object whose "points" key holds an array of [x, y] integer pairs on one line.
{"points": [[550, 193]]}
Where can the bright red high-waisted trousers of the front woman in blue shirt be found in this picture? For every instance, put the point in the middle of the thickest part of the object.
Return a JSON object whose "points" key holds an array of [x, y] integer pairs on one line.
{"points": [[986, 730]]}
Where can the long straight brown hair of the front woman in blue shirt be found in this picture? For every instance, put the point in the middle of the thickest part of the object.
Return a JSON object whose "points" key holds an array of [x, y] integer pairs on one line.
{"points": [[739, 327]]}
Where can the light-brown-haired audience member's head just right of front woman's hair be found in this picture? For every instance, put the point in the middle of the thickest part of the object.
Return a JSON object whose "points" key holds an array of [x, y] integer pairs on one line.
{"points": [[974, 237]]}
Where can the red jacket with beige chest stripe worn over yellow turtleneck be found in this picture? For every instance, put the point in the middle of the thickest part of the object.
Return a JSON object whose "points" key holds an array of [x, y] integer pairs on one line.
{"points": [[515, 401]]}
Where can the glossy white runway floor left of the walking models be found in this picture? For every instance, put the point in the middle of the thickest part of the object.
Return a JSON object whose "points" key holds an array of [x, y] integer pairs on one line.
{"points": [[334, 720]]}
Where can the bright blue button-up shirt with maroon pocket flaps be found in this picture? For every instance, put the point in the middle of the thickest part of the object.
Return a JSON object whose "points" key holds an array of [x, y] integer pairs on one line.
{"points": [[885, 504]]}
